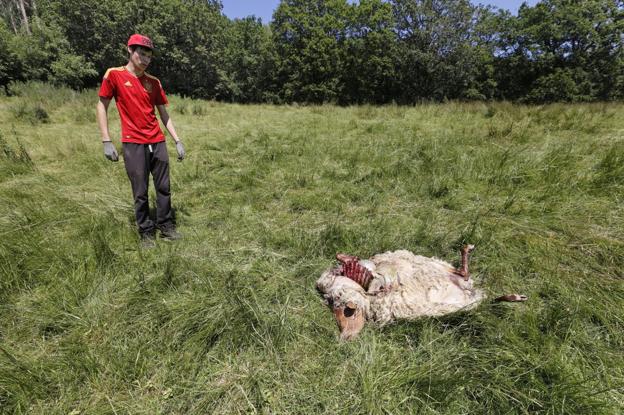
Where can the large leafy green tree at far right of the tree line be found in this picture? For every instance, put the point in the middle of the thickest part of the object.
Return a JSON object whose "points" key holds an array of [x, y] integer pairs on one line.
{"points": [[558, 44]]}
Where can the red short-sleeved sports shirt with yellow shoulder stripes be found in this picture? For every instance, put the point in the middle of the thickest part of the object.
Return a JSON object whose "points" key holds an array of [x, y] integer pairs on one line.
{"points": [[135, 98]]}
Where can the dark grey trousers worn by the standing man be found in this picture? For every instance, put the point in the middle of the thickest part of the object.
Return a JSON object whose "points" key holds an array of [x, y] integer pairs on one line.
{"points": [[140, 162]]}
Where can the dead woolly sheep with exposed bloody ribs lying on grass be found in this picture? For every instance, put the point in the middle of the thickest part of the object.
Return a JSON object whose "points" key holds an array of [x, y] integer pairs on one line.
{"points": [[397, 285]]}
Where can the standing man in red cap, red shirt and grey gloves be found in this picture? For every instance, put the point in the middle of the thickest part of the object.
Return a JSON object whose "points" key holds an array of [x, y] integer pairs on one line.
{"points": [[136, 94]]}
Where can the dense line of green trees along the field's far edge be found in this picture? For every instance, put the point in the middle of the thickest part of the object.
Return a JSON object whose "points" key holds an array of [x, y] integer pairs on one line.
{"points": [[317, 51]]}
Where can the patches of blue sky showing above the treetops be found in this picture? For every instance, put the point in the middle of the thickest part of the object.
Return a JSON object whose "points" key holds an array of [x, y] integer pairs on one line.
{"points": [[264, 8]]}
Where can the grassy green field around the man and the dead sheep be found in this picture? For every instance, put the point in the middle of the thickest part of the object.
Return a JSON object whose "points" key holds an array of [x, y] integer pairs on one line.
{"points": [[228, 320]]}
